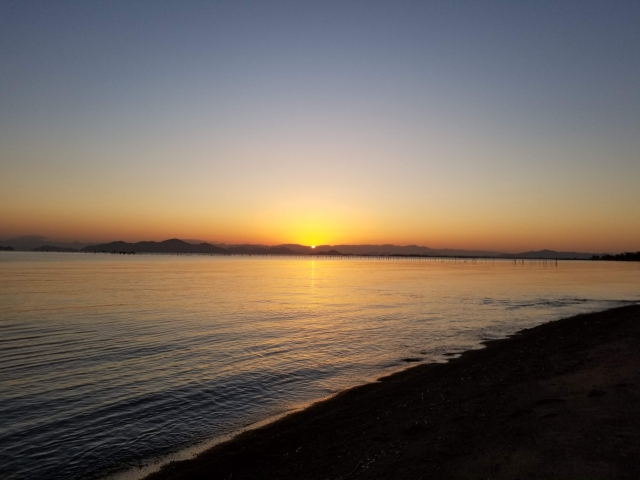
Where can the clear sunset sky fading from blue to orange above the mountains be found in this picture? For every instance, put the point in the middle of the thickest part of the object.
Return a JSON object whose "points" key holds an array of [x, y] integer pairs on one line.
{"points": [[504, 126]]}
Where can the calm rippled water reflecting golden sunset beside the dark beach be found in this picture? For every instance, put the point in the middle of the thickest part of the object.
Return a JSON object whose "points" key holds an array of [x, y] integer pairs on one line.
{"points": [[108, 361]]}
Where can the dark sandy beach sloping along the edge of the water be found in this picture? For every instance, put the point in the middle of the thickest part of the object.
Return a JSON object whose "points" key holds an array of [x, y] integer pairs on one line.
{"points": [[559, 401]]}
